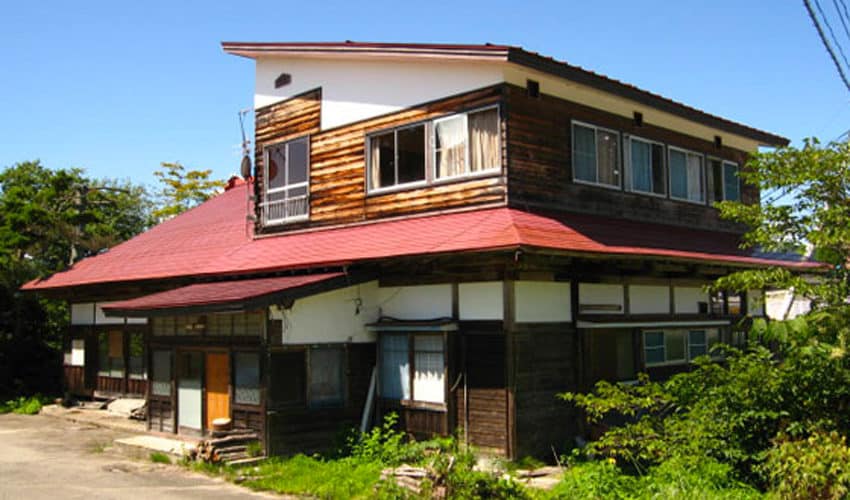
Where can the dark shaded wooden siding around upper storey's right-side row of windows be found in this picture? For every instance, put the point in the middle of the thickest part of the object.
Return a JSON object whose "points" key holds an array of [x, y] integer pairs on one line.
{"points": [[539, 165]]}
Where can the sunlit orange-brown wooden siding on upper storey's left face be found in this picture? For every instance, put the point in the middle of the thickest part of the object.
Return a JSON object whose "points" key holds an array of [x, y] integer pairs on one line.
{"points": [[338, 162]]}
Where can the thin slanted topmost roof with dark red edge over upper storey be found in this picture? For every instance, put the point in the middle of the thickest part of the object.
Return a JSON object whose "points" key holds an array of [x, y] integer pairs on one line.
{"points": [[507, 54]]}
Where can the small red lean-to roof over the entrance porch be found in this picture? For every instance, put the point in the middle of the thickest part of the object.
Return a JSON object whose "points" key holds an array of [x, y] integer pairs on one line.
{"points": [[221, 292]]}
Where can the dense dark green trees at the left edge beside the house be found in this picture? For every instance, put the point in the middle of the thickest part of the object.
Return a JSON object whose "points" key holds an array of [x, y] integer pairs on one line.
{"points": [[48, 220]]}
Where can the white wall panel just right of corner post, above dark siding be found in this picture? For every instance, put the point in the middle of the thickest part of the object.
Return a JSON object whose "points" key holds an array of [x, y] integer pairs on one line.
{"points": [[542, 302]]}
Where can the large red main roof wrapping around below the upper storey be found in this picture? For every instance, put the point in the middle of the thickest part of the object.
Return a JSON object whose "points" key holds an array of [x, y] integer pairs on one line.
{"points": [[215, 239]]}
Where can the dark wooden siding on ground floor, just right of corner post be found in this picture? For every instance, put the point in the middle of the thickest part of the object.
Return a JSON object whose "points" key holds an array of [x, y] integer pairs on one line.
{"points": [[546, 364]]}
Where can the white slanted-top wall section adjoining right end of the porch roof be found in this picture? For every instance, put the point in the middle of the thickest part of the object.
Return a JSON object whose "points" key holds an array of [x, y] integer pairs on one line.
{"points": [[331, 317]]}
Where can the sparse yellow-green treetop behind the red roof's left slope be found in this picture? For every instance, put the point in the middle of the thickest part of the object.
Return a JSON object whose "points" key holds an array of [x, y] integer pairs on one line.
{"points": [[182, 189]]}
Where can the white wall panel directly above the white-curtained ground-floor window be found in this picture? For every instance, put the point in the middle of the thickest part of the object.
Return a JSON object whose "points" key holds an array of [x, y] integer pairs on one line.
{"points": [[416, 302]]}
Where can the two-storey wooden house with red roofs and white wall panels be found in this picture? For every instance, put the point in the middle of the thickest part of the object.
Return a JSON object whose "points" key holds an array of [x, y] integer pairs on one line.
{"points": [[452, 232]]}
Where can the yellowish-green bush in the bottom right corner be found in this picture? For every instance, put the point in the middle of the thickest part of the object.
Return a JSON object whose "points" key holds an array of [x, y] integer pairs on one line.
{"points": [[814, 468]]}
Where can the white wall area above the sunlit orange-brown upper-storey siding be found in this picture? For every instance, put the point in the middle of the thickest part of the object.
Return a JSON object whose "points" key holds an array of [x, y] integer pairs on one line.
{"points": [[356, 89]]}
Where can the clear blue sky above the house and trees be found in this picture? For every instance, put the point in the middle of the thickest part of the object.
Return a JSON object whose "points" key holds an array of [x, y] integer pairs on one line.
{"points": [[118, 87]]}
